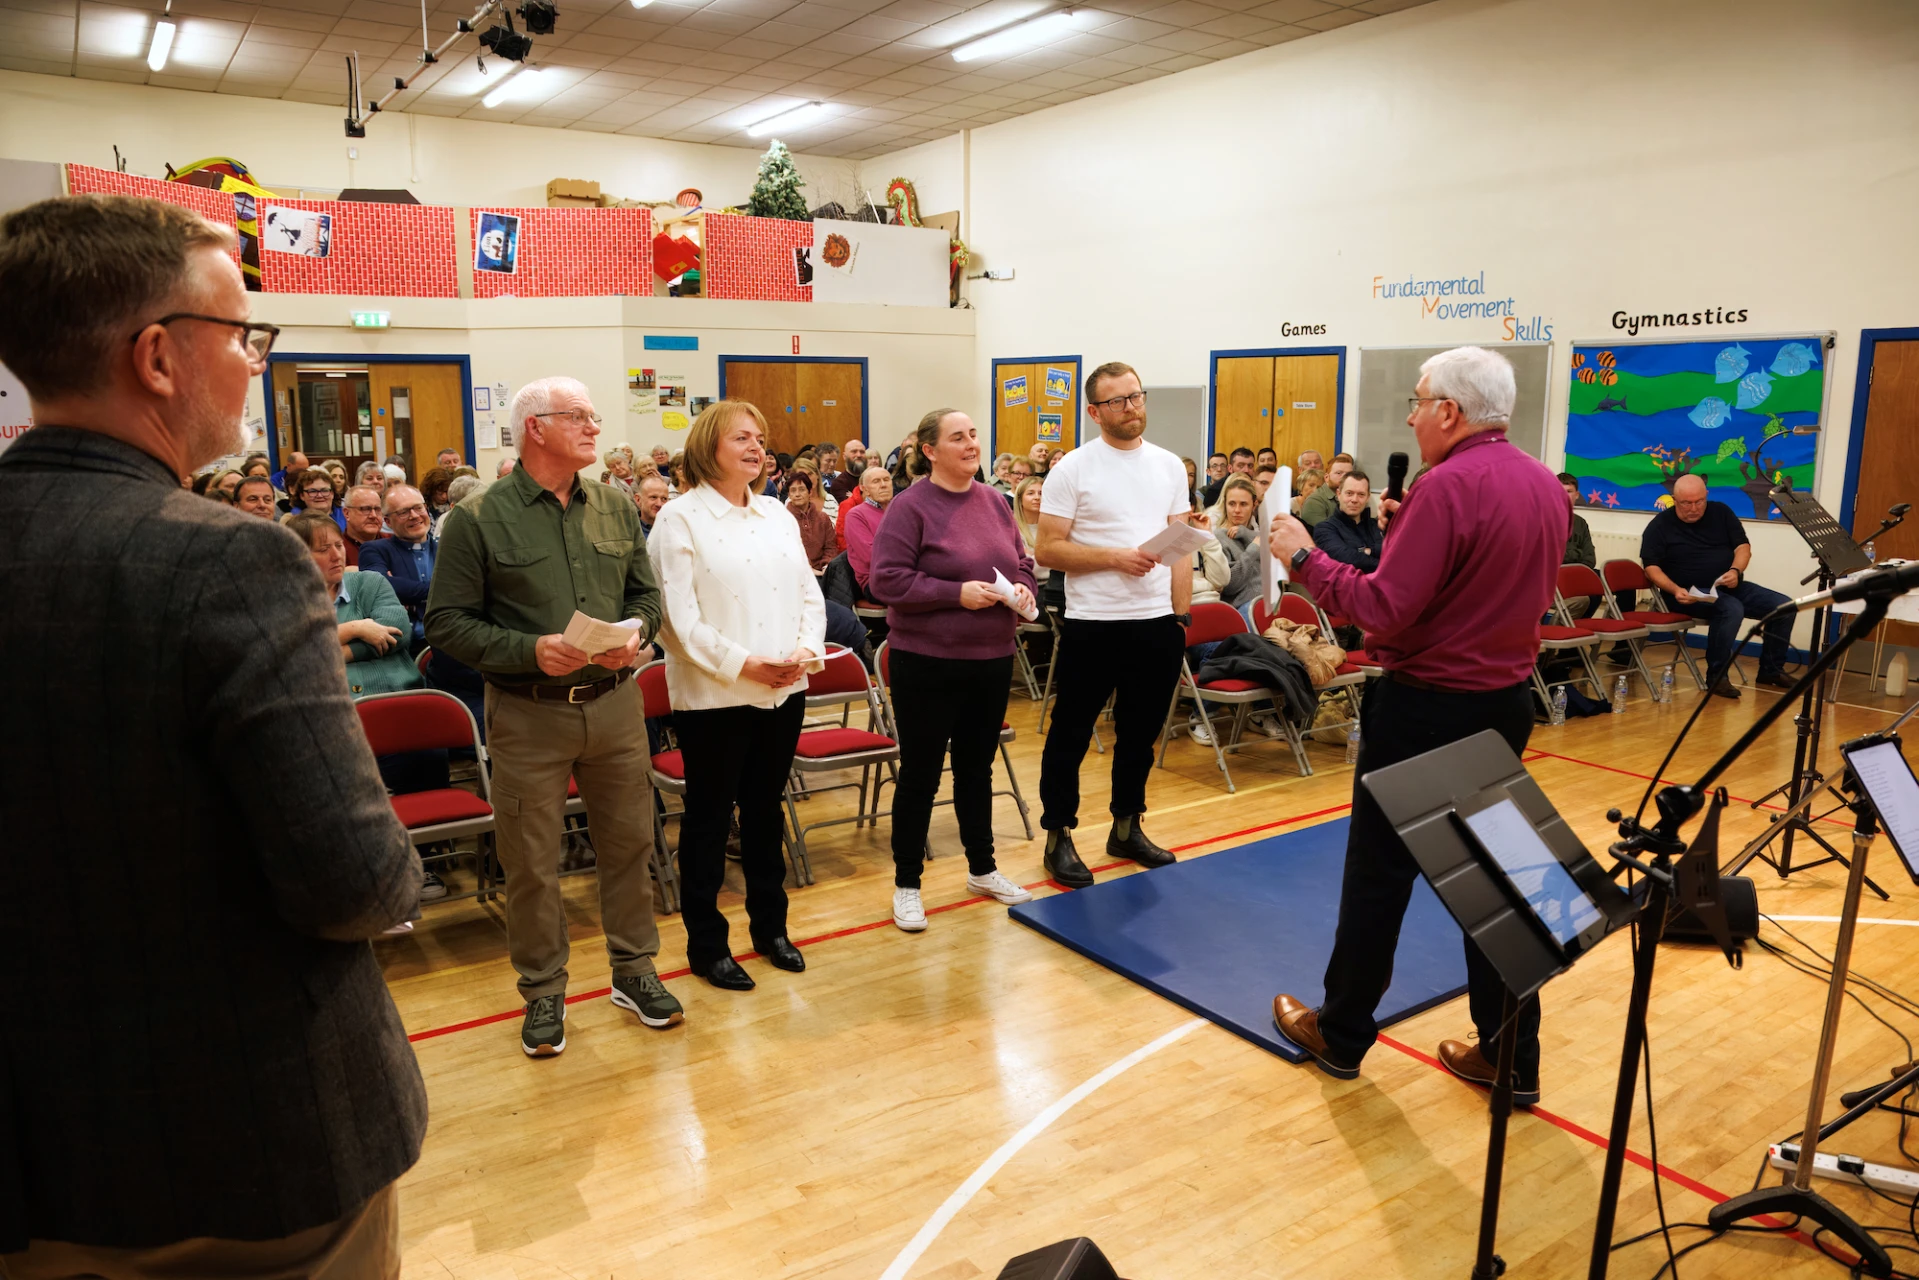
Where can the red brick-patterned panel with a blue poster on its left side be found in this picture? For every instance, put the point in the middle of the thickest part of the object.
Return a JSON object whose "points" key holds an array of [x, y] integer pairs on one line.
{"points": [[575, 254]]}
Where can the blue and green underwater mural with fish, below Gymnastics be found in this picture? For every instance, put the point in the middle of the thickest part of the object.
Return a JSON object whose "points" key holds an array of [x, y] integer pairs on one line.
{"points": [[1741, 415]]}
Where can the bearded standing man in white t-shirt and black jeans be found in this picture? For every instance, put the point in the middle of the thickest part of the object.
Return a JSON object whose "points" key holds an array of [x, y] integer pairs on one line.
{"points": [[1125, 627]]}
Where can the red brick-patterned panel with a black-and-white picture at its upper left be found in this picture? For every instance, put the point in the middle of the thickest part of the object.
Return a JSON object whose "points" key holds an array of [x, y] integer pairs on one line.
{"points": [[377, 250]]}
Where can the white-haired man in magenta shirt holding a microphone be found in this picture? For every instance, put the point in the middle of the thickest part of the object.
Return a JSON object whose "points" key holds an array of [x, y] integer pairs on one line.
{"points": [[1454, 617]]}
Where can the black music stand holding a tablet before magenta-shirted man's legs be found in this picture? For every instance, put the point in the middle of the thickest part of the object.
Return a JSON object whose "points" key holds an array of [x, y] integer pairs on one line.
{"points": [[1423, 797]]}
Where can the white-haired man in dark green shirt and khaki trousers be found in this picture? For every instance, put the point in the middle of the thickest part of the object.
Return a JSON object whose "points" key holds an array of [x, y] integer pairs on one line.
{"points": [[515, 563]]}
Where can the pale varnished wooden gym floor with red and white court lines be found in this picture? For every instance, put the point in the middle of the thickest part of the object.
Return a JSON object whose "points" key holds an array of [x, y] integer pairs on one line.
{"points": [[884, 1114]]}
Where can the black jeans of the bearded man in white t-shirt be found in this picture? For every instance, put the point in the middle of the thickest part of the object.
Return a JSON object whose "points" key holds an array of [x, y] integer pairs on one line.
{"points": [[1139, 661]]}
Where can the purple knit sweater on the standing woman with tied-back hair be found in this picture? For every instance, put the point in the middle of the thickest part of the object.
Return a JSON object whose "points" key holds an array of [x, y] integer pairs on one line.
{"points": [[930, 544]]}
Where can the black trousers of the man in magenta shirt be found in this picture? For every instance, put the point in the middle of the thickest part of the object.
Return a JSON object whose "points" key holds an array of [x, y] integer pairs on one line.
{"points": [[1400, 723]]}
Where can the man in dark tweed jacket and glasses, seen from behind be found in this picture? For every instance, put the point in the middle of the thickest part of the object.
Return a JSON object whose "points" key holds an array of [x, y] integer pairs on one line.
{"points": [[202, 1049]]}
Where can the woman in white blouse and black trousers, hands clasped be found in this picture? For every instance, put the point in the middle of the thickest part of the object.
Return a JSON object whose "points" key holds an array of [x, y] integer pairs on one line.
{"points": [[744, 625]]}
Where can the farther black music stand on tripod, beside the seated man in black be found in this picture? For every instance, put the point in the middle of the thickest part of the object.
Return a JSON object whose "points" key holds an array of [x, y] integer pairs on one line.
{"points": [[1837, 557]]}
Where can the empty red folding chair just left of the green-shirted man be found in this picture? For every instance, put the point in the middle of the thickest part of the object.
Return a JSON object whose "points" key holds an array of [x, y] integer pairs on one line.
{"points": [[433, 721]]}
